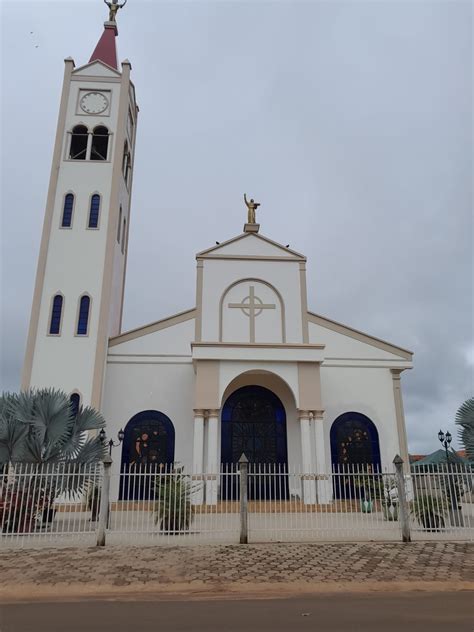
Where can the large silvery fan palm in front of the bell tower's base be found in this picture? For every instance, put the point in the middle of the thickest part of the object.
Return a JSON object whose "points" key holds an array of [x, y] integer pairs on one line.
{"points": [[47, 449]]}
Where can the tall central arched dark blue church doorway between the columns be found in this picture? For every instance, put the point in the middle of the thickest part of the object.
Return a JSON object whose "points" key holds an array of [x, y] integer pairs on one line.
{"points": [[254, 424]]}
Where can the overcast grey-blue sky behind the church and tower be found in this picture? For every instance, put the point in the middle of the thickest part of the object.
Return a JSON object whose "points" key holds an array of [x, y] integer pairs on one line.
{"points": [[351, 123]]}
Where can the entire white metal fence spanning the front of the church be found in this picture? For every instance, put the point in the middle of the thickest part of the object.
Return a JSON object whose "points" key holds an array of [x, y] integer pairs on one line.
{"points": [[66, 504]]}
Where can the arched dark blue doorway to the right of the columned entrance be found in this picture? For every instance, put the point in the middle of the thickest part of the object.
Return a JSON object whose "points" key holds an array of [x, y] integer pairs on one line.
{"points": [[354, 444]]}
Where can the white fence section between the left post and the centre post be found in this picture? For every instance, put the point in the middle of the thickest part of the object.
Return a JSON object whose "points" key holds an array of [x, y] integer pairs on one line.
{"points": [[166, 505]]}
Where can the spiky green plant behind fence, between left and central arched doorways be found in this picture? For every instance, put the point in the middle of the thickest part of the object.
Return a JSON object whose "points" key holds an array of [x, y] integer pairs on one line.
{"points": [[172, 507]]}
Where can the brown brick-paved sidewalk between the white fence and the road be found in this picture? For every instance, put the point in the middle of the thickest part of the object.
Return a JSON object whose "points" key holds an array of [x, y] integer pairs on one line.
{"points": [[252, 569]]}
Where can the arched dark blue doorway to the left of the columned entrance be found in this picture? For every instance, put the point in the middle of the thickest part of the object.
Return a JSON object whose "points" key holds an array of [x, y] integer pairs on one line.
{"points": [[148, 444]]}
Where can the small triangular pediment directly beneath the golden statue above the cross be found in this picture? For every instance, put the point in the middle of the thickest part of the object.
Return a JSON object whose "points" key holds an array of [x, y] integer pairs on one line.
{"points": [[250, 245]]}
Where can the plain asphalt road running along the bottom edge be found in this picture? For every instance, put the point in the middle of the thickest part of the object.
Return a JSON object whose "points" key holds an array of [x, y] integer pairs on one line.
{"points": [[379, 612]]}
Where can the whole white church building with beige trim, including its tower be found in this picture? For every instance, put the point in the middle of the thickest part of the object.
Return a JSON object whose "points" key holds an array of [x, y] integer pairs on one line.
{"points": [[247, 369]]}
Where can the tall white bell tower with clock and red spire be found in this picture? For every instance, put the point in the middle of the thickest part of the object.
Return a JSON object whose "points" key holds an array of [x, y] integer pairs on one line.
{"points": [[78, 296]]}
